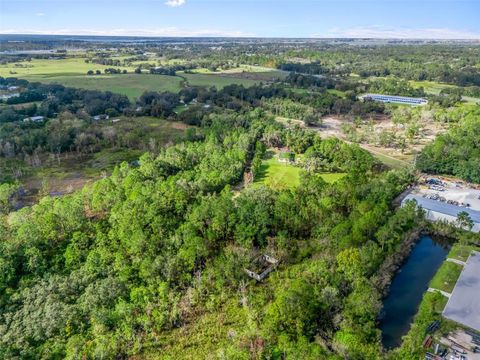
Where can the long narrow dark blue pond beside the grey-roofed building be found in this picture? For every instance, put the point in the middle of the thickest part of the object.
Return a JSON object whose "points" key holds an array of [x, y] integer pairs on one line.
{"points": [[408, 287]]}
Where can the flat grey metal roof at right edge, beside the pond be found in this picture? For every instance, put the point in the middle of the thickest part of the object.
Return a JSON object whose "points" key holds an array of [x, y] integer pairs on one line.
{"points": [[463, 305]]}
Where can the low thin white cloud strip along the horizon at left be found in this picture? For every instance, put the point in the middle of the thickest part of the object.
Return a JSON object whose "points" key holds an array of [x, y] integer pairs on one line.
{"points": [[155, 32]]}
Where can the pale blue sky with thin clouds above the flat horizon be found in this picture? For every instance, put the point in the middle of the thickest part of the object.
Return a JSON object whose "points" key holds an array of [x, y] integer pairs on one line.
{"points": [[441, 19]]}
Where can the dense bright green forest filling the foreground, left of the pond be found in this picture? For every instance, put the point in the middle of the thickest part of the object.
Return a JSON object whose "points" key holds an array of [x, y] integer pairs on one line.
{"points": [[104, 271]]}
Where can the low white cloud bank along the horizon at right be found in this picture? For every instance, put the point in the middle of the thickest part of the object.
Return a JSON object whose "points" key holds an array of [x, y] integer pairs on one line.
{"points": [[383, 32]]}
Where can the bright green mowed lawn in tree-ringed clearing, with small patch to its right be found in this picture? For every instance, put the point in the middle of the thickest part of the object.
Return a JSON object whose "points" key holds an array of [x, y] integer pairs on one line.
{"points": [[280, 175]]}
